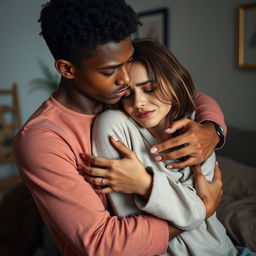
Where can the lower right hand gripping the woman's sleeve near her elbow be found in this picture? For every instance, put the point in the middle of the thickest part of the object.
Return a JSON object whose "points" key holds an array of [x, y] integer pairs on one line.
{"points": [[209, 192]]}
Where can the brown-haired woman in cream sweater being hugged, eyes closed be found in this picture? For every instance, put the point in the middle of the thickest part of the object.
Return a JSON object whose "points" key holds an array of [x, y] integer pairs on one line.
{"points": [[161, 91]]}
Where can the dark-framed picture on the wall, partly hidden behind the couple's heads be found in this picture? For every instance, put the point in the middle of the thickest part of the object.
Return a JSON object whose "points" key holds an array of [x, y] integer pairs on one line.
{"points": [[154, 25]]}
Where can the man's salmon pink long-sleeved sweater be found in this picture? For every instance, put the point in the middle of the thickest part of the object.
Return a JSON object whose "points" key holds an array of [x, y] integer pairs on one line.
{"points": [[47, 151]]}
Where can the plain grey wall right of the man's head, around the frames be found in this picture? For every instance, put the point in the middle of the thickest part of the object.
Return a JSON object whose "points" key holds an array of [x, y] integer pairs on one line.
{"points": [[203, 37]]}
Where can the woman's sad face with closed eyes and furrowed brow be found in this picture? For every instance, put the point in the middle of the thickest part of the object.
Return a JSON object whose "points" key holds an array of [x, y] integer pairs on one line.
{"points": [[140, 102]]}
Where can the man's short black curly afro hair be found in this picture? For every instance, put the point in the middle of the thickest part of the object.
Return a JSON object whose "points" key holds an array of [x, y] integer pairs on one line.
{"points": [[73, 29]]}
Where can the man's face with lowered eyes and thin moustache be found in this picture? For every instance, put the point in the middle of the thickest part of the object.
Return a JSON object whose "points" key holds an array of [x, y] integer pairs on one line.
{"points": [[106, 76]]}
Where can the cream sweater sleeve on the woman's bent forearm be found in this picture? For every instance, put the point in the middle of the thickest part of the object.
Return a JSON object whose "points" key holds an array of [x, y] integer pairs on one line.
{"points": [[177, 201]]}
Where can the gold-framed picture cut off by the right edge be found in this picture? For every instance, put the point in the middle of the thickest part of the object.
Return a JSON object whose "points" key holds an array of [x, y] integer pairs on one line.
{"points": [[247, 36]]}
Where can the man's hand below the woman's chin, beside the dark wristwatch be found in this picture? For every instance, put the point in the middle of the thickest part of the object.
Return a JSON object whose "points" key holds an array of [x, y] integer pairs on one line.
{"points": [[196, 143]]}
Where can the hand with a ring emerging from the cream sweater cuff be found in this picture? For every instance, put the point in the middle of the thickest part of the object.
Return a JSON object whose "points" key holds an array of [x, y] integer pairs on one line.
{"points": [[126, 175]]}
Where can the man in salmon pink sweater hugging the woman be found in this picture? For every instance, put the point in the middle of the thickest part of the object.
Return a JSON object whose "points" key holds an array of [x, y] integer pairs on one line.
{"points": [[91, 44]]}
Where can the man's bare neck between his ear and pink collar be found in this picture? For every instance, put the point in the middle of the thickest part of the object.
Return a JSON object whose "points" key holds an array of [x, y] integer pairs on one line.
{"points": [[75, 101]]}
